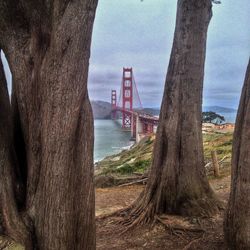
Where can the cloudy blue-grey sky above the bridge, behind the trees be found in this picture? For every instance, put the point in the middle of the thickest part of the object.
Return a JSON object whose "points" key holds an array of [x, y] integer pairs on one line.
{"points": [[131, 33]]}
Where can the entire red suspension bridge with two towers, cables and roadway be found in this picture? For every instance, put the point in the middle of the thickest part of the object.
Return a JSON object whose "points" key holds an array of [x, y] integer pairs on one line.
{"points": [[129, 105]]}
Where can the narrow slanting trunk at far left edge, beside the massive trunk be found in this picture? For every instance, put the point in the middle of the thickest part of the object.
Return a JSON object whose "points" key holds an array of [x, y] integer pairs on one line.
{"points": [[13, 223]]}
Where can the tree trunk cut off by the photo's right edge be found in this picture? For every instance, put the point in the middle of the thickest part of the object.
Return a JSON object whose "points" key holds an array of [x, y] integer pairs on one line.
{"points": [[237, 220]]}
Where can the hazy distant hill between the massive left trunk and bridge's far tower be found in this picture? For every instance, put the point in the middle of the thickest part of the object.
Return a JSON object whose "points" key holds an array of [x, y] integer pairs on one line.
{"points": [[101, 109]]}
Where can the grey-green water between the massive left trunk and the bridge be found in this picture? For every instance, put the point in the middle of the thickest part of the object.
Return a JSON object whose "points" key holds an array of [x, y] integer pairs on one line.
{"points": [[109, 139]]}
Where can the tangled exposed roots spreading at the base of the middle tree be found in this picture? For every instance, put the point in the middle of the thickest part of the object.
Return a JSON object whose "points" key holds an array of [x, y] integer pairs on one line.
{"points": [[142, 212]]}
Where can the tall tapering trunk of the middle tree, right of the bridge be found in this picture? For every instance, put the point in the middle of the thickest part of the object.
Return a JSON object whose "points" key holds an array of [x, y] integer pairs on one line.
{"points": [[177, 180]]}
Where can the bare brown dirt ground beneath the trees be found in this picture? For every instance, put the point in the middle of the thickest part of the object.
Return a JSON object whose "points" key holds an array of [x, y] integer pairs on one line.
{"points": [[181, 233]]}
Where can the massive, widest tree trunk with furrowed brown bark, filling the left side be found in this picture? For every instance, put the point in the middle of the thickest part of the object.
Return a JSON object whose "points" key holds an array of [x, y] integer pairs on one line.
{"points": [[47, 44]]}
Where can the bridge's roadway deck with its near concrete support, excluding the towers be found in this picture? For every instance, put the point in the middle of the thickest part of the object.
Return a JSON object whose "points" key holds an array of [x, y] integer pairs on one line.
{"points": [[142, 124]]}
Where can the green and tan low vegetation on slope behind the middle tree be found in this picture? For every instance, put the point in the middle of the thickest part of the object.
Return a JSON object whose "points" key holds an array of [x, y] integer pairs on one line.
{"points": [[137, 159]]}
